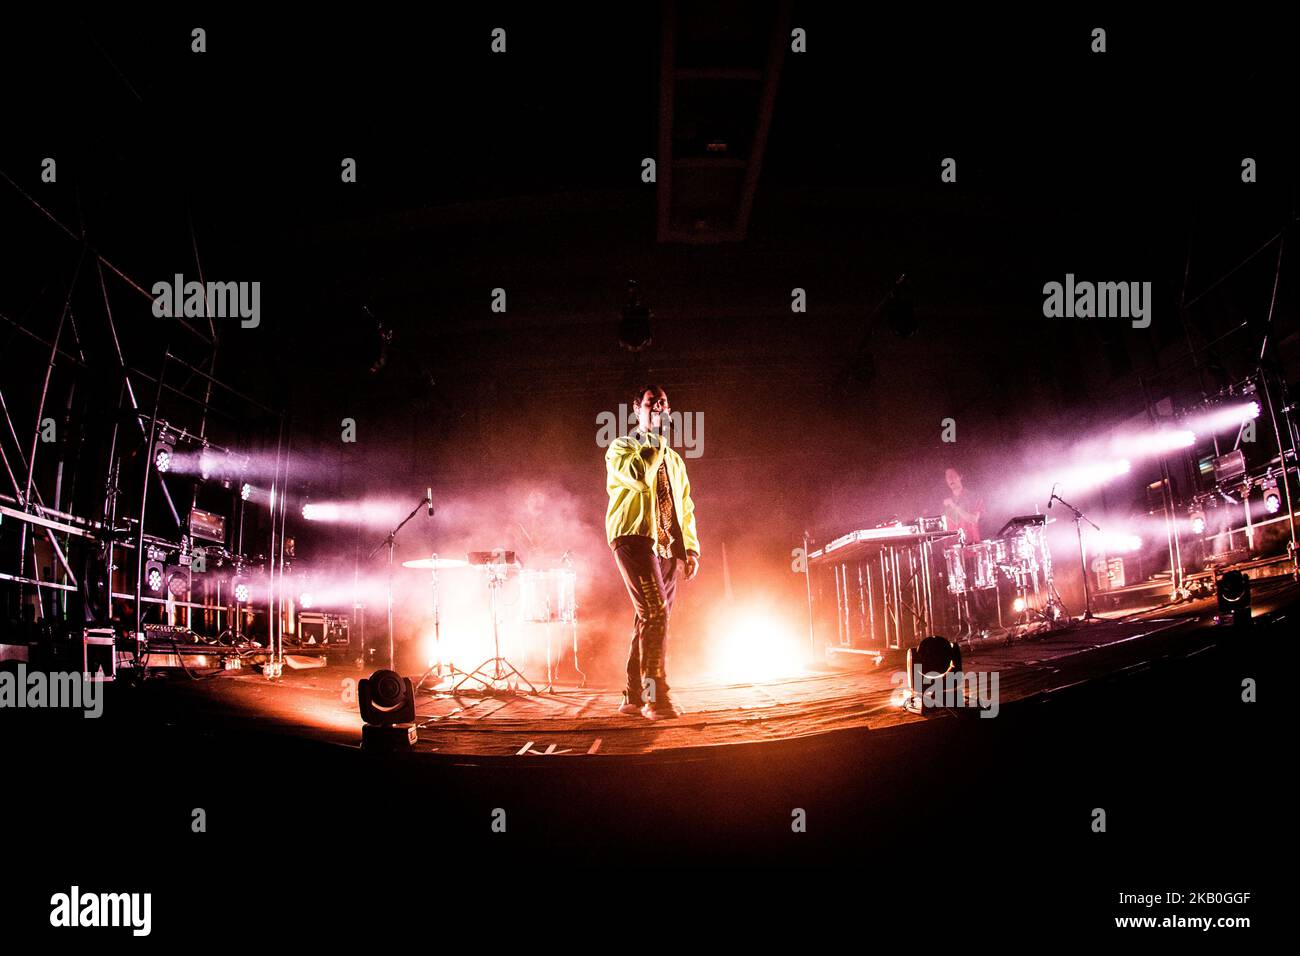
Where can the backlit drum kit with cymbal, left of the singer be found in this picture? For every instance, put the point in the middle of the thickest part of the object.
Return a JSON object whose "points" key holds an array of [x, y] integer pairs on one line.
{"points": [[548, 598]]}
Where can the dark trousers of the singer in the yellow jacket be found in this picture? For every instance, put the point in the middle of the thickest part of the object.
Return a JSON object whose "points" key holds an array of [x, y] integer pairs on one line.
{"points": [[652, 583]]}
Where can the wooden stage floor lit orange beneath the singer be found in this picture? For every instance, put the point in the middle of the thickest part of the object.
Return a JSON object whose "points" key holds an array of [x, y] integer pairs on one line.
{"points": [[855, 698]]}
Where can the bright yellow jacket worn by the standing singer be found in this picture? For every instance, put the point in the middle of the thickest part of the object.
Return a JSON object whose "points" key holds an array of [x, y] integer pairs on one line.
{"points": [[631, 482]]}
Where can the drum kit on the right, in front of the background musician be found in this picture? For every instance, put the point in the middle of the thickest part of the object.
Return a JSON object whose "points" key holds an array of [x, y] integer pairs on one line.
{"points": [[1016, 564]]}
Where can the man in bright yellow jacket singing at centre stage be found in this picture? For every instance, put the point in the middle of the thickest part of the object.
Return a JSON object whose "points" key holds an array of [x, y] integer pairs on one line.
{"points": [[651, 525]]}
